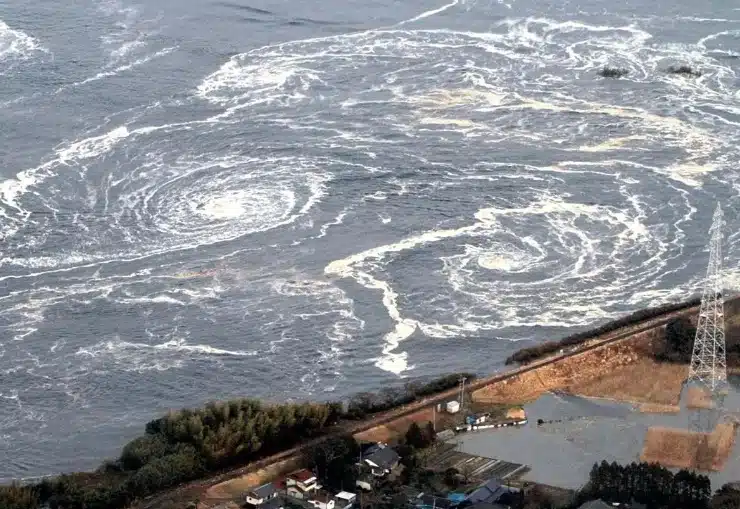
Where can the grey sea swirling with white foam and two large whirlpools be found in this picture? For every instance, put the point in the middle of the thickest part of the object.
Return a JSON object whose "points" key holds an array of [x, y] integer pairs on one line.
{"points": [[214, 199]]}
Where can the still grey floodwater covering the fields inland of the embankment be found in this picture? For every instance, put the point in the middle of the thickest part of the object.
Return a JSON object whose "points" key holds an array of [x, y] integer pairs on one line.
{"points": [[562, 453]]}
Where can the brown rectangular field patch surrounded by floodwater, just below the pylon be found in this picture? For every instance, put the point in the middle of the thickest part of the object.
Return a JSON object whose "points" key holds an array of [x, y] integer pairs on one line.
{"points": [[681, 448]]}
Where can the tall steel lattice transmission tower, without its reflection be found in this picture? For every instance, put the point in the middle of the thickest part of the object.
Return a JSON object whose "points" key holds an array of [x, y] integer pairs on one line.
{"points": [[708, 361]]}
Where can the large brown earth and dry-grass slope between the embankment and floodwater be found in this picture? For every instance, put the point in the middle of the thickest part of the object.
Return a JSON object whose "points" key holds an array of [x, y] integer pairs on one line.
{"points": [[623, 371]]}
